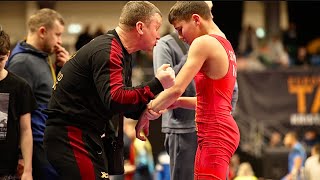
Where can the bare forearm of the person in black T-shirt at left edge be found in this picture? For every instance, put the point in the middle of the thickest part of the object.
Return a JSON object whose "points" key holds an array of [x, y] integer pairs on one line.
{"points": [[26, 144]]}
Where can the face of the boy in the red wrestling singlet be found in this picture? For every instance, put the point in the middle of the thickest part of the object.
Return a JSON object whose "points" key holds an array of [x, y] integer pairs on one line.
{"points": [[186, 30]]}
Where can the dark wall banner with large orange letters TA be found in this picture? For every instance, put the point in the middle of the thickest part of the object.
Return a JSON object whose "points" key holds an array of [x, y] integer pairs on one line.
{"points": [[280, 99]]}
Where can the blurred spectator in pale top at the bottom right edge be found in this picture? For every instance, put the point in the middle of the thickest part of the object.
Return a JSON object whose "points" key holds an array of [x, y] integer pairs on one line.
{"points": [[312, 166]]}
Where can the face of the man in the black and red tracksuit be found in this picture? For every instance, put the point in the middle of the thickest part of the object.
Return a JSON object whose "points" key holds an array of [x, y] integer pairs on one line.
{"points": [[150, 32]]}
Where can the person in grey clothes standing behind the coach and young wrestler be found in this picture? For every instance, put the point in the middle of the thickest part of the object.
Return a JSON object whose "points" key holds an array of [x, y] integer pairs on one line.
{"points": [[178, 124]]}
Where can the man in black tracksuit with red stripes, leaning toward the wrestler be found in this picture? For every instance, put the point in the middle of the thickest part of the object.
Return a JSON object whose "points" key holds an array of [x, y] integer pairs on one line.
{"points": [[94, 85]]}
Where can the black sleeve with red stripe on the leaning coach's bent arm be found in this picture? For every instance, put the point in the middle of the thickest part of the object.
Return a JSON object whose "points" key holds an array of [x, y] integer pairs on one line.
{"points": [[107, 67]]}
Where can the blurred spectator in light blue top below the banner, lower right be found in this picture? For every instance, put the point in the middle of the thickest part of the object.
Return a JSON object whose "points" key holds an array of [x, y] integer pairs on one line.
{"points": [[296, 158]]}
